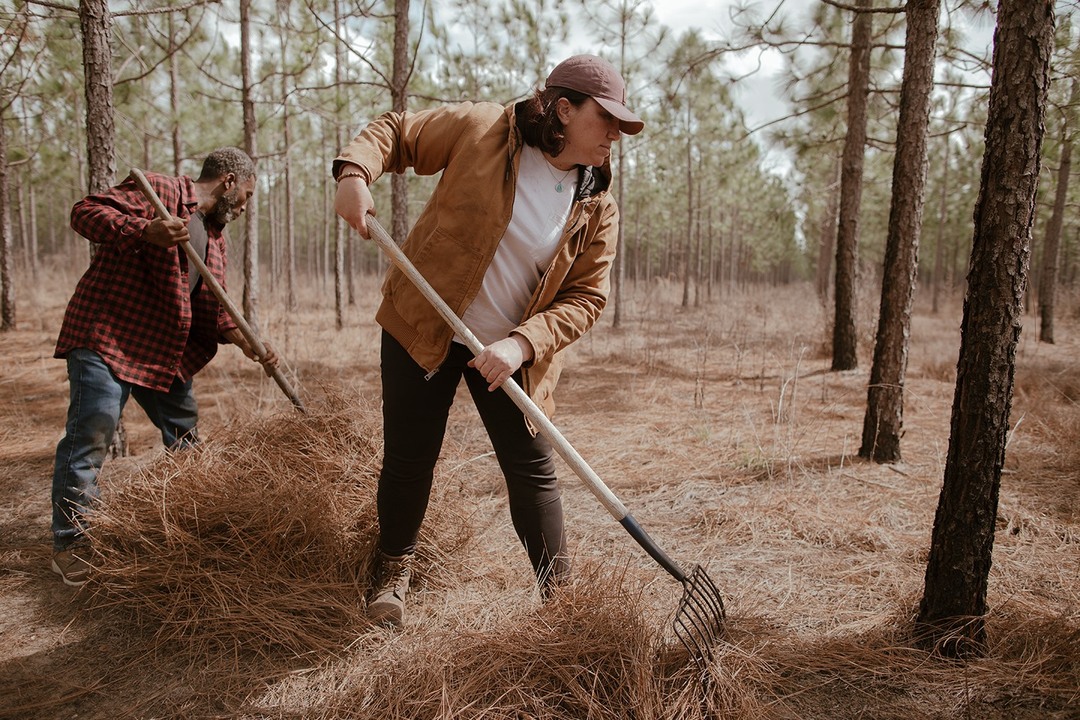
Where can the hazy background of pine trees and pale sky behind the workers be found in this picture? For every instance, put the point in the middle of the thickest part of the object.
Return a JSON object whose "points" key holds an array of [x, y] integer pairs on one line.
{"points": [[705, 198]]}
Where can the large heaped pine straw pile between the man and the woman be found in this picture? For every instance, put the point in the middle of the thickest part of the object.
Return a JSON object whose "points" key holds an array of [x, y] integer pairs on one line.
{"points": [[260, 540]]}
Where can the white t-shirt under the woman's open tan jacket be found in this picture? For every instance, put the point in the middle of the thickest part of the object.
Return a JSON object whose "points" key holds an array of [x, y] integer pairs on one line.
{"points": [[526, 250]]}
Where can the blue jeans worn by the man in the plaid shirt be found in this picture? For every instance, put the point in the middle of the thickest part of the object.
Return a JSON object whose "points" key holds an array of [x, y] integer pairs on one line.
{"points": [[98, 398]]}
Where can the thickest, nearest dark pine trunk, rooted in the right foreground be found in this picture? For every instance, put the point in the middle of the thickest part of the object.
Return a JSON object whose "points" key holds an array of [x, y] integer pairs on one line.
{"points": [[954, 603]]}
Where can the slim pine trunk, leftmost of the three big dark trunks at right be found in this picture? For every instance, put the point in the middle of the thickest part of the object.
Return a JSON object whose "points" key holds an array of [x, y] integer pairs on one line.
{"points": [[845, 335]]}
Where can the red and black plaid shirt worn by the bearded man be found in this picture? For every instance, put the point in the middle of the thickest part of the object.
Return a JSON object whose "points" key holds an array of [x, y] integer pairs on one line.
{"points": [[132, 306]]}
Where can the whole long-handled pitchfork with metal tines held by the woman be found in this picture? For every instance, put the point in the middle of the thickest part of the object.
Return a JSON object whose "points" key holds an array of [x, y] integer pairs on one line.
{"points": [[699, 619]]}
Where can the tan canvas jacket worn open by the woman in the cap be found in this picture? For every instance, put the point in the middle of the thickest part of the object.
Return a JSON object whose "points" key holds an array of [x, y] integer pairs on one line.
{"points": [[477, 148]]}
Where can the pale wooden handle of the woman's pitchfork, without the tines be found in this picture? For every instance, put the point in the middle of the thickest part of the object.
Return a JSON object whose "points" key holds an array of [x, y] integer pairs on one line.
{"points": [[521, 399]]}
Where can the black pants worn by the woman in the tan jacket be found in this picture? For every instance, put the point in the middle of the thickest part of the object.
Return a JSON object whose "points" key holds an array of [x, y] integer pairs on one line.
{"points": [[414, 420]]}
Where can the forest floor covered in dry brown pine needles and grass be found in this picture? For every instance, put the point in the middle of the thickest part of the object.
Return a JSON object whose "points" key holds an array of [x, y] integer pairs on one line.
{"points": [[720, 426]]}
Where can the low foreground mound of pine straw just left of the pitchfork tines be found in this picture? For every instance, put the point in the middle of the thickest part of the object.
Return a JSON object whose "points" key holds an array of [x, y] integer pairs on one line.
{"points": [[589, 654]]}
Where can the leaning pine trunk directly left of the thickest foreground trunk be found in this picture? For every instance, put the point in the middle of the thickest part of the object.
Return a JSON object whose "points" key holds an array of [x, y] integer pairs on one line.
{"points": [[885, 403]]}
